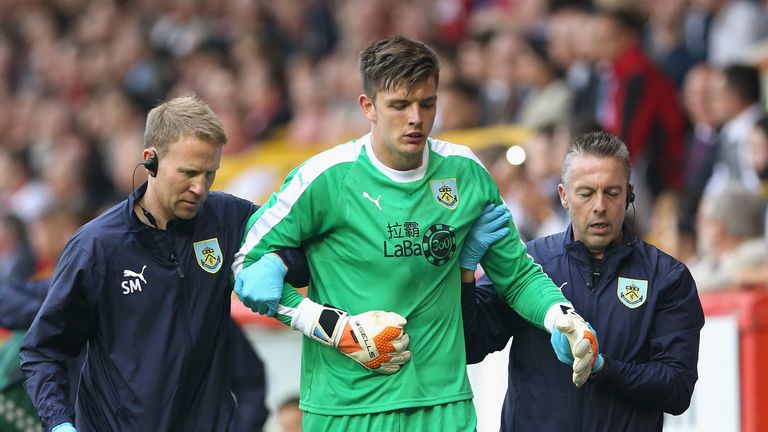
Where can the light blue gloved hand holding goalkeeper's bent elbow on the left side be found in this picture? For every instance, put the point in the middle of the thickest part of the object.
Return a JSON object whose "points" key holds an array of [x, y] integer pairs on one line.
{"points": [[260, 285]]}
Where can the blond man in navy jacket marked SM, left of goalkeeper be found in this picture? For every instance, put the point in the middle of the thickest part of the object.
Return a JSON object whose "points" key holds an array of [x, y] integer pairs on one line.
{"points": [[146, 288]]}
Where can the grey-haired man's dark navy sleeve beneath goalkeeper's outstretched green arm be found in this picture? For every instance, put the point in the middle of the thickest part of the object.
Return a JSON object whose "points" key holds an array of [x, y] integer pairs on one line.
{"points": [[488, 321]]}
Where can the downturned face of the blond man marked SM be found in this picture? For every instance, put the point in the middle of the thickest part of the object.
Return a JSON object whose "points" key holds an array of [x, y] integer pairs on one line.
{"points": [[184, 177]]}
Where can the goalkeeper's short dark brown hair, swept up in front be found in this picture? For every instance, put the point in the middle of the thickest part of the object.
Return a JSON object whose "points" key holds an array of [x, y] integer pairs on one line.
{"points": [[391, 62]]}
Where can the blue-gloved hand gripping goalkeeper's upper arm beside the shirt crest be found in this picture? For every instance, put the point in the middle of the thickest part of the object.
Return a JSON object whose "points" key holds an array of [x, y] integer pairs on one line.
{"points": [[489, 227]]}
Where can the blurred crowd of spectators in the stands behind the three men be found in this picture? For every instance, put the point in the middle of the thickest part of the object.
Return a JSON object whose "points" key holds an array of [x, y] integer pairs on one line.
{"points": [[678, 80]]}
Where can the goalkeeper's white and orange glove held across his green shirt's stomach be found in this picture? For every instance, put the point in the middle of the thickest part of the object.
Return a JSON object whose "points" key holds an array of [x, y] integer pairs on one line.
{"points": [[375, 339]]}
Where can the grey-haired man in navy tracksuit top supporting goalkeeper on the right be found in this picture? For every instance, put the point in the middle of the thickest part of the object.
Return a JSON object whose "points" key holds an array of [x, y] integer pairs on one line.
{"points": [[642, 303]]}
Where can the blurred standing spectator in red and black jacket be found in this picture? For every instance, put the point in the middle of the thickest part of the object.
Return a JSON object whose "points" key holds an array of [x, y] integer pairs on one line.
{"points": [[638, 103]]}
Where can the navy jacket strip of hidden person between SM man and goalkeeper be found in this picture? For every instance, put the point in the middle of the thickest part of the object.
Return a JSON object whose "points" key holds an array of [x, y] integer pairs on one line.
{"points": [[248, 383]]}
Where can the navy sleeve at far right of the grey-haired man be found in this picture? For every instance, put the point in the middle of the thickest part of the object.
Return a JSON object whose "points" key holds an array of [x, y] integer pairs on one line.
{"points": [[666, 381]]}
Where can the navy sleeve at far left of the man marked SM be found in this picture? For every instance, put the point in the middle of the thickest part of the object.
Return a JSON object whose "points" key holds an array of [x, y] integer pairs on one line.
{"points": [[65, 322]]}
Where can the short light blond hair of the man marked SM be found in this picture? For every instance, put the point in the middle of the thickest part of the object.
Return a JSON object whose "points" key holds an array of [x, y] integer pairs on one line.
{"points": [[182, 117]]}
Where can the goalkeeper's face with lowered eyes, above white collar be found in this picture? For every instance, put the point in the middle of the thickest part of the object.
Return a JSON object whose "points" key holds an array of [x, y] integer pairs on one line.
{"points": [[401, 121]]}
